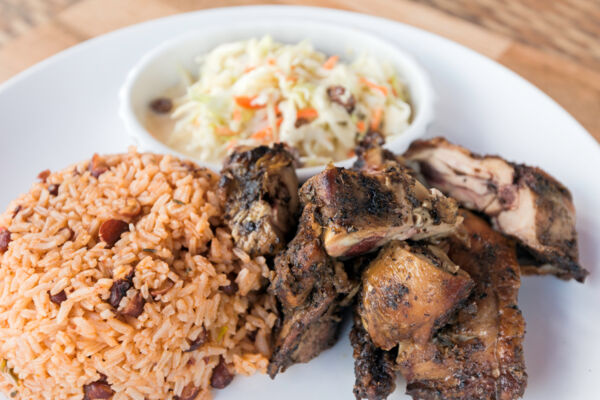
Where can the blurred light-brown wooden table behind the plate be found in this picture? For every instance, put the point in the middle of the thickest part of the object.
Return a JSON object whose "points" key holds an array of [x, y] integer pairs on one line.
{"points": [[555, 44]]}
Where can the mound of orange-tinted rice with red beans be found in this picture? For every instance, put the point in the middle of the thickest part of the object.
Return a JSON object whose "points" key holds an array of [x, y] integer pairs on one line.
{"points": [[58, 329]]}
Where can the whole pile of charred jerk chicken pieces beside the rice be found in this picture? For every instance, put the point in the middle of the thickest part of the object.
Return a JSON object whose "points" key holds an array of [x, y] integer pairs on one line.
{"points": [[438, 302]]}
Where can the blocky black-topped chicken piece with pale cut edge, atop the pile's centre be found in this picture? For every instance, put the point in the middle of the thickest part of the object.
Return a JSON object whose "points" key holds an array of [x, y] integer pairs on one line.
{"points": [[363, 210]]}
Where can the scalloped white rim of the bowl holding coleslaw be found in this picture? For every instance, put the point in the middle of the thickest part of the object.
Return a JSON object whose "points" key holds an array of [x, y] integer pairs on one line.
{"points": [[418, 82]]}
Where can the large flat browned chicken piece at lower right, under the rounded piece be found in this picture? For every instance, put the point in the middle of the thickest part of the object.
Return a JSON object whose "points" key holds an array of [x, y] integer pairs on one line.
{"points": [[479, 355]]}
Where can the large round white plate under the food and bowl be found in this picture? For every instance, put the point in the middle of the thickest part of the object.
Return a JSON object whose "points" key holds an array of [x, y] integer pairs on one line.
{"points": [[65, 109]]}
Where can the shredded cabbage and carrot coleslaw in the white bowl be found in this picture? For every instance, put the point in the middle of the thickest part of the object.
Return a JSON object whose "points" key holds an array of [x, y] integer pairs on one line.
{"points": [[260, 91]]}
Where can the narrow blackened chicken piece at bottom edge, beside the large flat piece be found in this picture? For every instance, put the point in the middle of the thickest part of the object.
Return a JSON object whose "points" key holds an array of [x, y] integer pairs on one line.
{"points": [[373, 367]]}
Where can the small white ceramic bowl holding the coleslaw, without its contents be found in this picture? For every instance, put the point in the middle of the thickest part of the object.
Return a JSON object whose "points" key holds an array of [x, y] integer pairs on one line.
{"points": [[160, 69]]}
